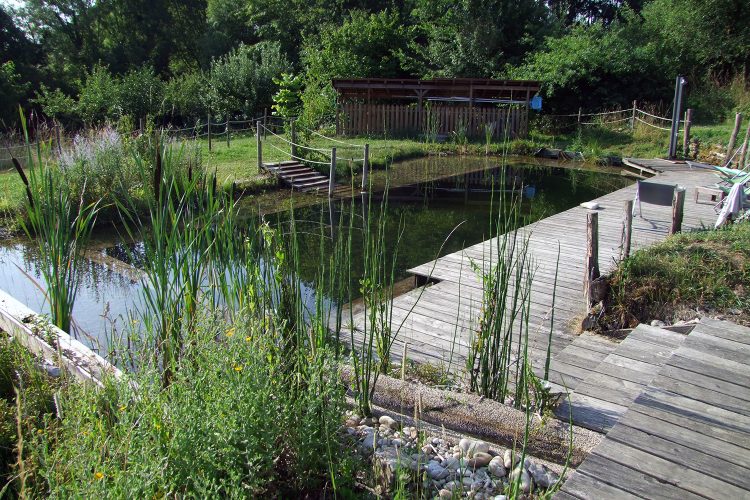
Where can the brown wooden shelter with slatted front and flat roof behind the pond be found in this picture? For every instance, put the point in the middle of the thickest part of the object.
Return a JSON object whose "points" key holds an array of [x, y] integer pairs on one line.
{"points": [[437, 107]]}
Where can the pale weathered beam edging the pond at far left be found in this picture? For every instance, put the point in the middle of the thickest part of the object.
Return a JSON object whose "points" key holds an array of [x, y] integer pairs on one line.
{"points": [[52, 344]]}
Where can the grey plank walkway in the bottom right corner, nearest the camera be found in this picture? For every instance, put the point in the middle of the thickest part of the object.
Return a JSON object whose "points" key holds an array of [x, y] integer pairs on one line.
{"points": [[687, 434]]}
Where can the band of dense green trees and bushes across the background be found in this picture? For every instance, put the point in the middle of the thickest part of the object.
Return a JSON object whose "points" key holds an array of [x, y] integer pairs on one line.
{"points": [[88, 61]]}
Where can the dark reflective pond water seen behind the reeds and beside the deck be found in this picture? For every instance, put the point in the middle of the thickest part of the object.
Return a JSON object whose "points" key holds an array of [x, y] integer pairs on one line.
{"points": [[456, 198]]}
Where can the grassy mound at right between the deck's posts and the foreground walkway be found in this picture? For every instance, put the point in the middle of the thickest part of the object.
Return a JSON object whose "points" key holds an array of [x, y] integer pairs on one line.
{"points": [[703, 271]]}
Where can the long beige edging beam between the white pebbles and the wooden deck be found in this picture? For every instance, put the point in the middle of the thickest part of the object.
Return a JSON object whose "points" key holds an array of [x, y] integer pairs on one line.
{"points": [[469, 414]]}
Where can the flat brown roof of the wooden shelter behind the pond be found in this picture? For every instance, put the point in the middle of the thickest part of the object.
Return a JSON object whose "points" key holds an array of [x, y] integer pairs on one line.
{"points": [[439, 88]]}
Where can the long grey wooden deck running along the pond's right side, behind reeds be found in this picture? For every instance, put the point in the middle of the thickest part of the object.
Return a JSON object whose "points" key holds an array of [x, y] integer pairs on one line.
{"points": [[437, 320]]}
